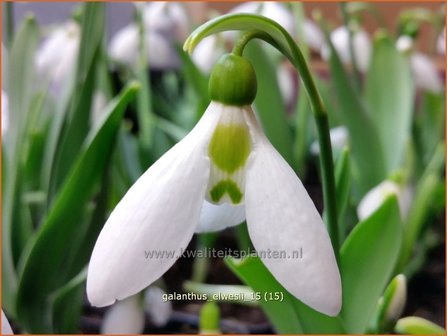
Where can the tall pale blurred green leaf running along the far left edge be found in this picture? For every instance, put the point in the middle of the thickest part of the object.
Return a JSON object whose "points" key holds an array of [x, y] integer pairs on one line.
{"points": [[20, 81]]}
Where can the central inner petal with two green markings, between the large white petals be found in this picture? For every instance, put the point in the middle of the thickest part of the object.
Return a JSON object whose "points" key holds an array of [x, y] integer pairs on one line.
{"points": [[229, 148]]}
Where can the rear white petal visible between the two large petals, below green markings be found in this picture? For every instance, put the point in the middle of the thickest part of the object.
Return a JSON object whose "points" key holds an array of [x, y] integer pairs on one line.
{"points": [[218, 217]]}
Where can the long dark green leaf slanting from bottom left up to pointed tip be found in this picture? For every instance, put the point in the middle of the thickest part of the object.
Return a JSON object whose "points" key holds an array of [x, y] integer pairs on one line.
{"points": [[45, 269]]}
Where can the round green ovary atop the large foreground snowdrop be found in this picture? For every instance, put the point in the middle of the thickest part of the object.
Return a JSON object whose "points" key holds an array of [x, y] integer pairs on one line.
{"points": [[233, 81]]}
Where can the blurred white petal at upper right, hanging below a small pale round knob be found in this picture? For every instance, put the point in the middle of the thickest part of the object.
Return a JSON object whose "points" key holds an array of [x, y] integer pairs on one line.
{"points": [[425, 74]]}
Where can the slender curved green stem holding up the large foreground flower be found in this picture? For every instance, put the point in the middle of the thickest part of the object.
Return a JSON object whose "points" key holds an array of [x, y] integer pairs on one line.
{"points": [[321, 118]]}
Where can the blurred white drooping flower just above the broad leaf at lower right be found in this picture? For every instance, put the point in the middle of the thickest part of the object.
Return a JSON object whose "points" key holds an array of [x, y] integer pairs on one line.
{"points": [[376, 196]]}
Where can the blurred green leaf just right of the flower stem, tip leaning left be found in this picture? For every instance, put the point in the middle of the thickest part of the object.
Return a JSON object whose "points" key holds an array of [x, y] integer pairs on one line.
{"points": [[367, 152]]}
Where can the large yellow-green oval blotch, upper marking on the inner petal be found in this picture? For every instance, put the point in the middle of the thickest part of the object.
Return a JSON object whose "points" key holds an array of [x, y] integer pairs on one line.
{"points": [[229, 147]]}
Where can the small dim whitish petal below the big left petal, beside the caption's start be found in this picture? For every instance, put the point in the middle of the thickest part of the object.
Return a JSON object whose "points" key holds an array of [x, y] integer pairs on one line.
{"points": [[158, 309]]}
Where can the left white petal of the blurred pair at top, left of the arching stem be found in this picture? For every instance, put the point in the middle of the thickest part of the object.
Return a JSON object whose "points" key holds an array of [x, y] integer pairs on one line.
{"points": [[124, 45]]}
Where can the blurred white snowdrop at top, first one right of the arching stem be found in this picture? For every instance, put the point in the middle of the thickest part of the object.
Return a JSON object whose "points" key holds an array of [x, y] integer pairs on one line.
{"points": [[361, 46]]}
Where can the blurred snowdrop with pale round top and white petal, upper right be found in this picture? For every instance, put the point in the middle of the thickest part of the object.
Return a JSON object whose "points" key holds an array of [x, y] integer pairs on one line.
{"points": [[424, 72]]}
